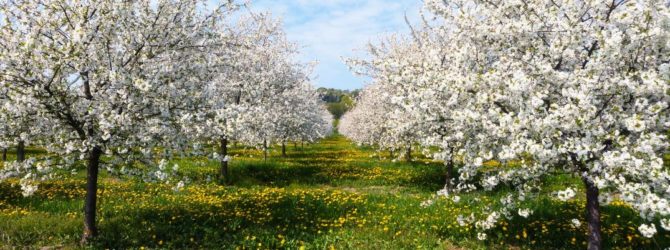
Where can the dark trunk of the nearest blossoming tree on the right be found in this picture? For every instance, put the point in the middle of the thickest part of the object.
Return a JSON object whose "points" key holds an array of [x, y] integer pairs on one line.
{"points": [[593, 215]]}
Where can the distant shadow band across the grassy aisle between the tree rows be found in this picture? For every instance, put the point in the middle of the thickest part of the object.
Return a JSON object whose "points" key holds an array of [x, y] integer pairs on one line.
{"points": [[334, 172]]}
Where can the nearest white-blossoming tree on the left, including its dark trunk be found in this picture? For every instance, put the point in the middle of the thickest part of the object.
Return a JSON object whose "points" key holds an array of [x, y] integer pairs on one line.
{"points": [[110, 76]]}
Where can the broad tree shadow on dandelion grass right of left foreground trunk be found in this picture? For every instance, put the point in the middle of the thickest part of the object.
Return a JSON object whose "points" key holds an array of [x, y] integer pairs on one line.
{"points": [[279, 219]]}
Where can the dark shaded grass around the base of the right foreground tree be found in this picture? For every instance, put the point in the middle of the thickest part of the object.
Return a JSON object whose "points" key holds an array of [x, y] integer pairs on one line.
{"points": [[550, 226]]}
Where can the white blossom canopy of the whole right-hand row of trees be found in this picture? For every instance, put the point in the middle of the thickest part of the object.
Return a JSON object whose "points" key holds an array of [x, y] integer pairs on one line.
{"points": [[536, 85]]}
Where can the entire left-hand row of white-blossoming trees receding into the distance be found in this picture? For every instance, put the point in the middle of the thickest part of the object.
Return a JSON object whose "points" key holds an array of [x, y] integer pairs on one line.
{"points": [[139, 82]]}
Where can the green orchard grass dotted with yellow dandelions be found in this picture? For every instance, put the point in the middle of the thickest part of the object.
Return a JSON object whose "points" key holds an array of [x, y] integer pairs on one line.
{"points": [[327, 195]]}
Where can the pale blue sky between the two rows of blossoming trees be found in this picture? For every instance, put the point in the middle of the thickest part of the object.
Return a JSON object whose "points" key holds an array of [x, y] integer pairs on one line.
{"points": [[331, 29]]}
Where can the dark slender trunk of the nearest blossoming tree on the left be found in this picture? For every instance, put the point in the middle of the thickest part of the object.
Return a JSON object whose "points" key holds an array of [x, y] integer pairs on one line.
{"points": [[93, 164]]}
